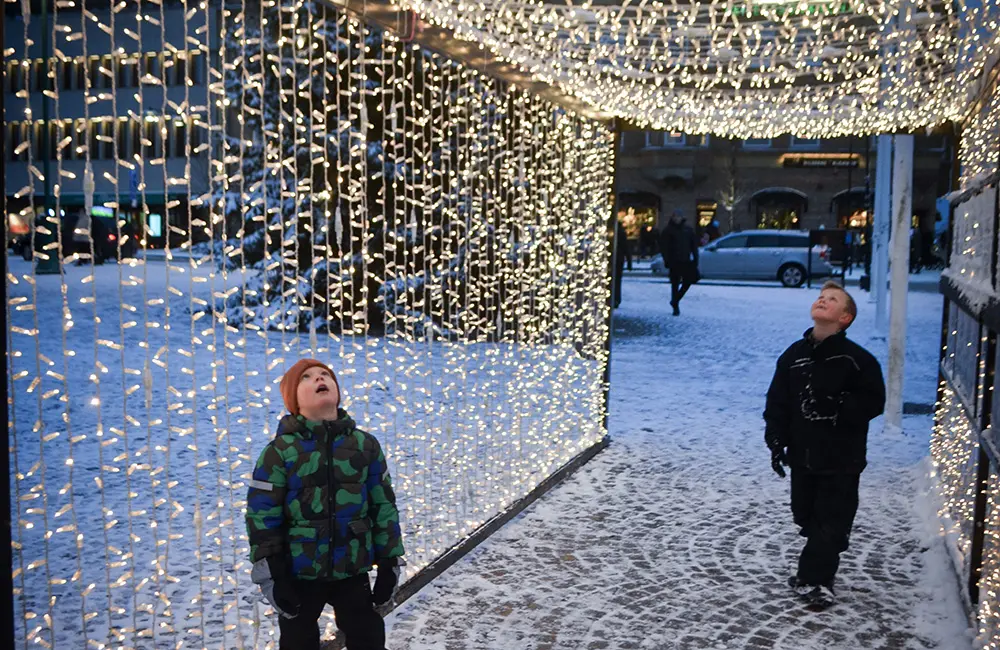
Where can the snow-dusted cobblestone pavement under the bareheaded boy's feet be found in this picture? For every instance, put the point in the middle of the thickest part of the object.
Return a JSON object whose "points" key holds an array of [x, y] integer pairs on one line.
{"points": [[679, 536]]}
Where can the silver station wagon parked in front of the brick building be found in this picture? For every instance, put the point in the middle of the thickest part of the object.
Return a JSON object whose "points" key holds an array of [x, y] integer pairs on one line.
{"points": [[781, 255]]}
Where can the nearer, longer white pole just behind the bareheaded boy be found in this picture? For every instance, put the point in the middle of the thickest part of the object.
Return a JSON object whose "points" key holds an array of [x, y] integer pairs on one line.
{"points": [[902, 214]]}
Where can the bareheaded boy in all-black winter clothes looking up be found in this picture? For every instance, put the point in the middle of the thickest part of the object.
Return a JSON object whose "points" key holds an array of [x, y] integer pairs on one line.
{"points": [[825, 391]]}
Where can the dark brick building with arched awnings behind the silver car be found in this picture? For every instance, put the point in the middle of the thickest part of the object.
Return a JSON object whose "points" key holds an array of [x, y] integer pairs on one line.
{"points": [[784, 182]]}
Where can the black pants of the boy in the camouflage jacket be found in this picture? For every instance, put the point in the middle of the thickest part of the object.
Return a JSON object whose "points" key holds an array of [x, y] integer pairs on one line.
{"points": [[352, 606]]}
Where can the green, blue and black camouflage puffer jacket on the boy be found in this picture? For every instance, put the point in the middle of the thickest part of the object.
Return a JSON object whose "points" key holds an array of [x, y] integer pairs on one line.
{"points": [[322, 495]]}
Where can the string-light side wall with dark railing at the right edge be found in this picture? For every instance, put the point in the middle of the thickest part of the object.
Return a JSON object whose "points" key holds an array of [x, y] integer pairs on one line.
{"points": [[959, 447]]}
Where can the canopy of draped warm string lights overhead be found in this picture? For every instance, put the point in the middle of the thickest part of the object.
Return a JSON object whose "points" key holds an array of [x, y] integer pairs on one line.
{"points": [[746, 69]]}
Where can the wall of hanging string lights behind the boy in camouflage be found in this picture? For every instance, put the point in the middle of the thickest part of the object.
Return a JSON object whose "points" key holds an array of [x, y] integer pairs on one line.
{"points": [[324, 189]]}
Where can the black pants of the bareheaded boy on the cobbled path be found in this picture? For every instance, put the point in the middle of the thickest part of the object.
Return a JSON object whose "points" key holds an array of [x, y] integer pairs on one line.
{"points": [[823, 506]]}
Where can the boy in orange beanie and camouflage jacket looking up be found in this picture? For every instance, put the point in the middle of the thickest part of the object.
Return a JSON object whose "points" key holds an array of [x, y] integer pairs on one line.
{"points": [[320, 514]]}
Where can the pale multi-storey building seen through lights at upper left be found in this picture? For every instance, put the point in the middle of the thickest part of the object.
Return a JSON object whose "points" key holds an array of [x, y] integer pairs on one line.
{"points": [[132, 100]]}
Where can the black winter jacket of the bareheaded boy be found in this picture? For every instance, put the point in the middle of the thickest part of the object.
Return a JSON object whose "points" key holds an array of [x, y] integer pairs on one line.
{"points": [[820, 402]]}
